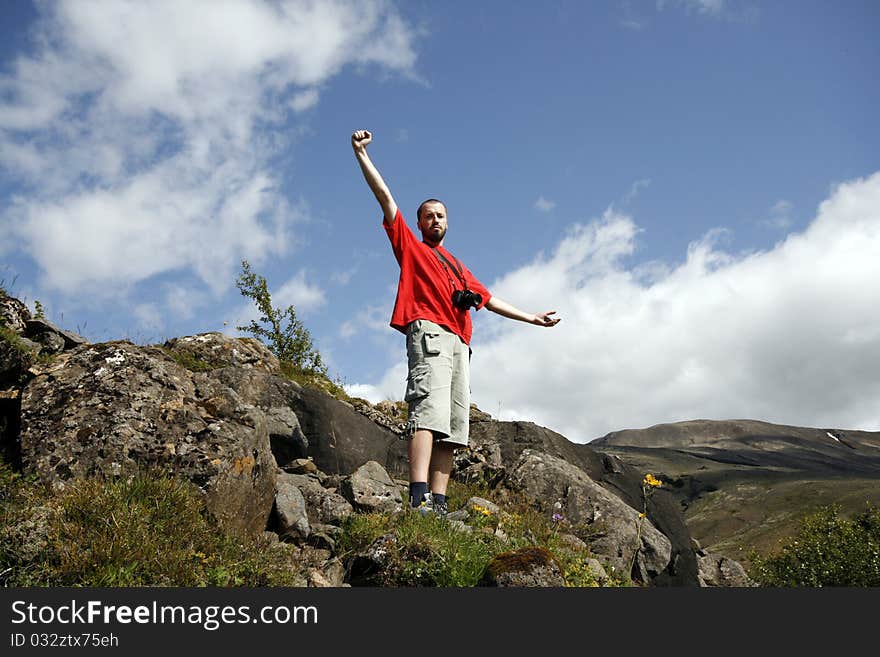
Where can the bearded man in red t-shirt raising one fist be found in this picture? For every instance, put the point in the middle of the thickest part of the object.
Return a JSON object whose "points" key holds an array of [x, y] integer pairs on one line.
{"points": [[434, 296]]}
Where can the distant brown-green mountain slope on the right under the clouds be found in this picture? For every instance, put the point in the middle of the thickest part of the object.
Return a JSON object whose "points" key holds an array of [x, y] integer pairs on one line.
{"points": [[745, 484]]}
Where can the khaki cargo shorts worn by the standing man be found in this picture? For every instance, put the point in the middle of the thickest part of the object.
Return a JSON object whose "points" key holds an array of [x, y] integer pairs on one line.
{"points": [[438, 385]]}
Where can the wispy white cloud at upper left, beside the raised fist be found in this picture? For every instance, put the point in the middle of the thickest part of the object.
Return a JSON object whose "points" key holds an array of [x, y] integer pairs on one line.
{"points": [[137, 132]]}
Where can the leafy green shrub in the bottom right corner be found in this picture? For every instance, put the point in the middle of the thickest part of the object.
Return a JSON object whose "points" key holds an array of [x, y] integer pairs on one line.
{"points": [[828, 550]]}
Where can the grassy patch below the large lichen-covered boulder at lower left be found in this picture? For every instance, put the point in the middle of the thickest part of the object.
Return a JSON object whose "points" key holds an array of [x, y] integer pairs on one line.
{"points": [[151, 530]]}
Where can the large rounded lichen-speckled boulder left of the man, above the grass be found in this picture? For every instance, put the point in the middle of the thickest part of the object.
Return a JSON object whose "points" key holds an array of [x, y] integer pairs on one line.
{"points": [[112, 409]]}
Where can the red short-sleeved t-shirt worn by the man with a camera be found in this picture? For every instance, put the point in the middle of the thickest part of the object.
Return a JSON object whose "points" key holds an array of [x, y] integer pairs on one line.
{"points": [[424, 290]]}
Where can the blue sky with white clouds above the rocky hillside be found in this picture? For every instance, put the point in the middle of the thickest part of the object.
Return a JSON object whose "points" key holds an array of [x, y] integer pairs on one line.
{"points": [[693, 185]]}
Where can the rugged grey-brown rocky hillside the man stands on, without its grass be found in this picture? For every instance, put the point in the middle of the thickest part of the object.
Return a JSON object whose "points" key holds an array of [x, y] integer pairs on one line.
{"points": [[271, 455]]}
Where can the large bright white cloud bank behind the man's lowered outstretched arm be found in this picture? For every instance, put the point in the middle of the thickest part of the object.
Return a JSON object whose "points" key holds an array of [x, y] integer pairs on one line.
{"points": [[788, 335]]}
